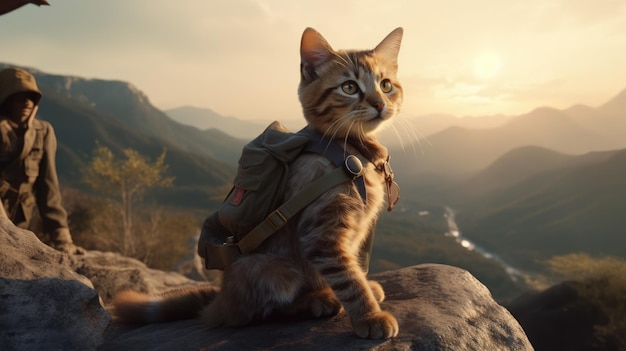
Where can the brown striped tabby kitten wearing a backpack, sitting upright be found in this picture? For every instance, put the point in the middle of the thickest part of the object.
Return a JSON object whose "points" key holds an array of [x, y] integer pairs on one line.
{"points": [[311, 266]]}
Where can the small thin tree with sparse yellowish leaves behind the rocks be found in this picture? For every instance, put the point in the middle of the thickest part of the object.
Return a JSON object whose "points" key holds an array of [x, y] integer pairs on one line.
{"points": [[126, 179]]}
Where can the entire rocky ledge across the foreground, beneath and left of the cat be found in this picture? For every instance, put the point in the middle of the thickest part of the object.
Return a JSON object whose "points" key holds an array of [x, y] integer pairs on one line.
{"points": [[49, 300]]}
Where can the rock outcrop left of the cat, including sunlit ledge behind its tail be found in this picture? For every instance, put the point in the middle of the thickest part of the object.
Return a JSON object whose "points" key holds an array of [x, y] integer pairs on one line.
{"points": [[50, 300]]}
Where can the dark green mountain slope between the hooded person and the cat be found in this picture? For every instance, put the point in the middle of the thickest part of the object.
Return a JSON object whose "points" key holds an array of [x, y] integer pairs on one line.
{"points": [[87, 112]]}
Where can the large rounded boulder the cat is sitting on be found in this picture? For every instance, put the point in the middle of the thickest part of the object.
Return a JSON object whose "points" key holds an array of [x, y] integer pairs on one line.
{"points": [[438, 307]]}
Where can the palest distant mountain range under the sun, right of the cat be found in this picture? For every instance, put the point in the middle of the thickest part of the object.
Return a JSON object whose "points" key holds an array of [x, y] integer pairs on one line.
{"points": [[459, 152]]}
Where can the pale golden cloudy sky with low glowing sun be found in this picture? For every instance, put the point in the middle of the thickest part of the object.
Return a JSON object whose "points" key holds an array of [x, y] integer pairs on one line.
{"points": [[240, 58]]}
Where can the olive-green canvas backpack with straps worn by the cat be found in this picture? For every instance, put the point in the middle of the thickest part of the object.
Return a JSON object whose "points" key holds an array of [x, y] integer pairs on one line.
{"points": [[254, 209]]}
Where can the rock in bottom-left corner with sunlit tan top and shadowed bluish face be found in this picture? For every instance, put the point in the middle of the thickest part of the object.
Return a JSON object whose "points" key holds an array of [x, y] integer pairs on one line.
{"points": [[44, 304]]}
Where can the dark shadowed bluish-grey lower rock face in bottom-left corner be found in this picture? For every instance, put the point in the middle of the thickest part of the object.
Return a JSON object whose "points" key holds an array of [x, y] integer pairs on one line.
{"points": [[50, 313]]}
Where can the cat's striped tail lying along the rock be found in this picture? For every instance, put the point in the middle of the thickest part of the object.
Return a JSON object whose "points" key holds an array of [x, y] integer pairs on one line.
{"points": [[131, 307]]}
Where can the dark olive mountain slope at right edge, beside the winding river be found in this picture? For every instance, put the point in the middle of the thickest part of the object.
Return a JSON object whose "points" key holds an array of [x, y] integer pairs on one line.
{"points": [[577, 206]]}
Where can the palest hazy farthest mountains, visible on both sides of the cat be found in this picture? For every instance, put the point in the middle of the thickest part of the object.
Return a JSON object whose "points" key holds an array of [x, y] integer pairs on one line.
{"points": [[458, 147]]}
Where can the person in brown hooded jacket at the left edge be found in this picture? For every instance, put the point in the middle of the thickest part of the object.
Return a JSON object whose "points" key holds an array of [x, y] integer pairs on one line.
{"points": [[27, 161]]}
